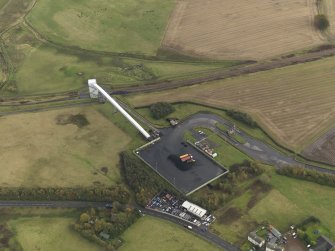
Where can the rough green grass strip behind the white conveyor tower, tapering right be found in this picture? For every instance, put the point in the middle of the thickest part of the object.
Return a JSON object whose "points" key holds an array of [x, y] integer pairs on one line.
{"points": [[69, 72]]}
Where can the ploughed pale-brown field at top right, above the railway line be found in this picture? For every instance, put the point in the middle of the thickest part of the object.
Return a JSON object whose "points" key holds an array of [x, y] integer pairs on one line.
{"points": [[242, 29]]}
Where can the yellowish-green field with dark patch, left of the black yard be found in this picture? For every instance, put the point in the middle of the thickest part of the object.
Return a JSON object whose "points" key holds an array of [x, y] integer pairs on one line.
{"points": [[60, 153]]}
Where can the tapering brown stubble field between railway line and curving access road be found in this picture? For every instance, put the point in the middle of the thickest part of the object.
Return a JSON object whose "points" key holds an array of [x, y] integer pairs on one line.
{"points": [[295, 104]]}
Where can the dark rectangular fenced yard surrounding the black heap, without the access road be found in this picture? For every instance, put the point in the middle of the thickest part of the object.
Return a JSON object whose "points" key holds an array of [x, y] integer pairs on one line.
{"points": [[199, 173]]}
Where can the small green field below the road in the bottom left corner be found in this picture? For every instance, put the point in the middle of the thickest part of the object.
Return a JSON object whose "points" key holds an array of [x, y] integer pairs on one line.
{"points": [[49, 233]]}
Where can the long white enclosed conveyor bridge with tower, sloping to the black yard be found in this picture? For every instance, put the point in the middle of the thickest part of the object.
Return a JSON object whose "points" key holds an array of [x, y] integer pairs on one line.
{"points": [[95, 89]]}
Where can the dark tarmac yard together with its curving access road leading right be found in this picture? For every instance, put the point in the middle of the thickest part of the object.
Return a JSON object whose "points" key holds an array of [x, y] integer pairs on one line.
{"points": [[204, 169]]}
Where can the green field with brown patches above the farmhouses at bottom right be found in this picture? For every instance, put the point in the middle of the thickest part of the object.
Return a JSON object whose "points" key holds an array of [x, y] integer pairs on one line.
{"points": [[289, 202]]}
